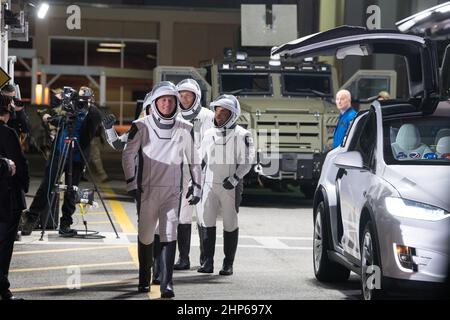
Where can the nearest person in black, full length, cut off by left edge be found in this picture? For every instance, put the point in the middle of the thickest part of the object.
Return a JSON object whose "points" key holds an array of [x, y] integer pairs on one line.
{"points": [[14, 183]]}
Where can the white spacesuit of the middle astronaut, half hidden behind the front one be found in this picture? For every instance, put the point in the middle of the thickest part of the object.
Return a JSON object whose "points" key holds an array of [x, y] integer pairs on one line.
{"points": [[201, 119]]}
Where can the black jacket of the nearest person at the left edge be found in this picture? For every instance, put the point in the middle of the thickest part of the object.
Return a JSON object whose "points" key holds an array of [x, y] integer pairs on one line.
{"points": [[12, 189]]}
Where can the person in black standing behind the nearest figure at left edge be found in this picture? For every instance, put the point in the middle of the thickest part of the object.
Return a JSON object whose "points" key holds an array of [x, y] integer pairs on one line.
{"points": [[18, 120]]}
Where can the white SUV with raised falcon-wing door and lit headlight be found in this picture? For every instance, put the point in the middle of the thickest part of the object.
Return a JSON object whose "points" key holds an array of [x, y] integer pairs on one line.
{"points": [[382, 206]]}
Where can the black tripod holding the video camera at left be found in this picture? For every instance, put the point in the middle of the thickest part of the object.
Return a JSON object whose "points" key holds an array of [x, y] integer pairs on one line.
{"points": [[66, 157]]}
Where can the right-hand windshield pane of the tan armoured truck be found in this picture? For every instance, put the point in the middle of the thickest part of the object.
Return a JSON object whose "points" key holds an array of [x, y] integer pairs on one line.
{"points": [[306, 85]]}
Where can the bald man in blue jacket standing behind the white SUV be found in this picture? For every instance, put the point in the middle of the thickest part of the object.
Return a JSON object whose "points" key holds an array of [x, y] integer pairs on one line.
{"points": [[343, 103]]}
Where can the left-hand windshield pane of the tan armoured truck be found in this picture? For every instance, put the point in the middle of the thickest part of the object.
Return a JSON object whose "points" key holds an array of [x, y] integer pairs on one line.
{"points": [[245, 83]]}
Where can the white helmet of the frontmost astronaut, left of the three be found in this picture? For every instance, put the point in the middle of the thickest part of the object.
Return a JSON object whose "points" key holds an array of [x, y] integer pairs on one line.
{"points": [[163, 88]]}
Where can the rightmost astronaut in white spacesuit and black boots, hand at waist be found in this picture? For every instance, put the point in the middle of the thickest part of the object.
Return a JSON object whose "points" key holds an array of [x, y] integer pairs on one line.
{"points": [[227, 154]]}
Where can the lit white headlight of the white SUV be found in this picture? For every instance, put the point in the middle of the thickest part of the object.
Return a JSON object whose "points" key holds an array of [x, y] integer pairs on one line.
{"points": [[414, 210]]}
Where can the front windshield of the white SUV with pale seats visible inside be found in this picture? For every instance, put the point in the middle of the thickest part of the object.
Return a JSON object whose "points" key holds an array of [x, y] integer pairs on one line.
{"points": [[424, 140]]}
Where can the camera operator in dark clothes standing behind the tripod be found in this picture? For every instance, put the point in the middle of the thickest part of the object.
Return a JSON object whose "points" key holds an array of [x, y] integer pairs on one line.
{"points": [[81, 120]]}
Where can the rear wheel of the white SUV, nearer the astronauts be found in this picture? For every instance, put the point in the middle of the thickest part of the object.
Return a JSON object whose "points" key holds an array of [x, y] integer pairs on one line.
{"points": [[324, 269]]}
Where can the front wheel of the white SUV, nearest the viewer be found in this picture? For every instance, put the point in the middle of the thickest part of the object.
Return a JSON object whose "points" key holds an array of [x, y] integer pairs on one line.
{"points": [[370, 266]]}
